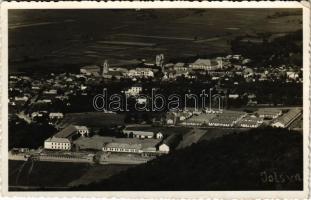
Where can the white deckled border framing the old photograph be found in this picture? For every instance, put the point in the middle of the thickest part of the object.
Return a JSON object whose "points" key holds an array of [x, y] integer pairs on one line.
{"points": [[304, 5]]}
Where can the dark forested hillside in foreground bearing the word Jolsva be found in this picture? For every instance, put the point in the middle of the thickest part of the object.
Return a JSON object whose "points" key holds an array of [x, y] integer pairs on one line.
{"points": [[261, 159]]}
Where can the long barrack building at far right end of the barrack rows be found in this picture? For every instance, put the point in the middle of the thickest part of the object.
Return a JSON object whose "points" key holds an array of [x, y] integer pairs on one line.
{"points": [[286, 119]]}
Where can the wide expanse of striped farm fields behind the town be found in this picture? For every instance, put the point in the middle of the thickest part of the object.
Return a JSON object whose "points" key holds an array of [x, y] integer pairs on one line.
{"points": [[54, 40]]}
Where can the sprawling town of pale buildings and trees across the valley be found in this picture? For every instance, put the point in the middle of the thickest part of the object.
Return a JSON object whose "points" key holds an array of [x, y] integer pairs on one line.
{"points": [[103, 133]]}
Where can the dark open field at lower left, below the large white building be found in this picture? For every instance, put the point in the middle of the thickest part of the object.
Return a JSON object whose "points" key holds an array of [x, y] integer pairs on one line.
{"points": [[58, 175]]}
